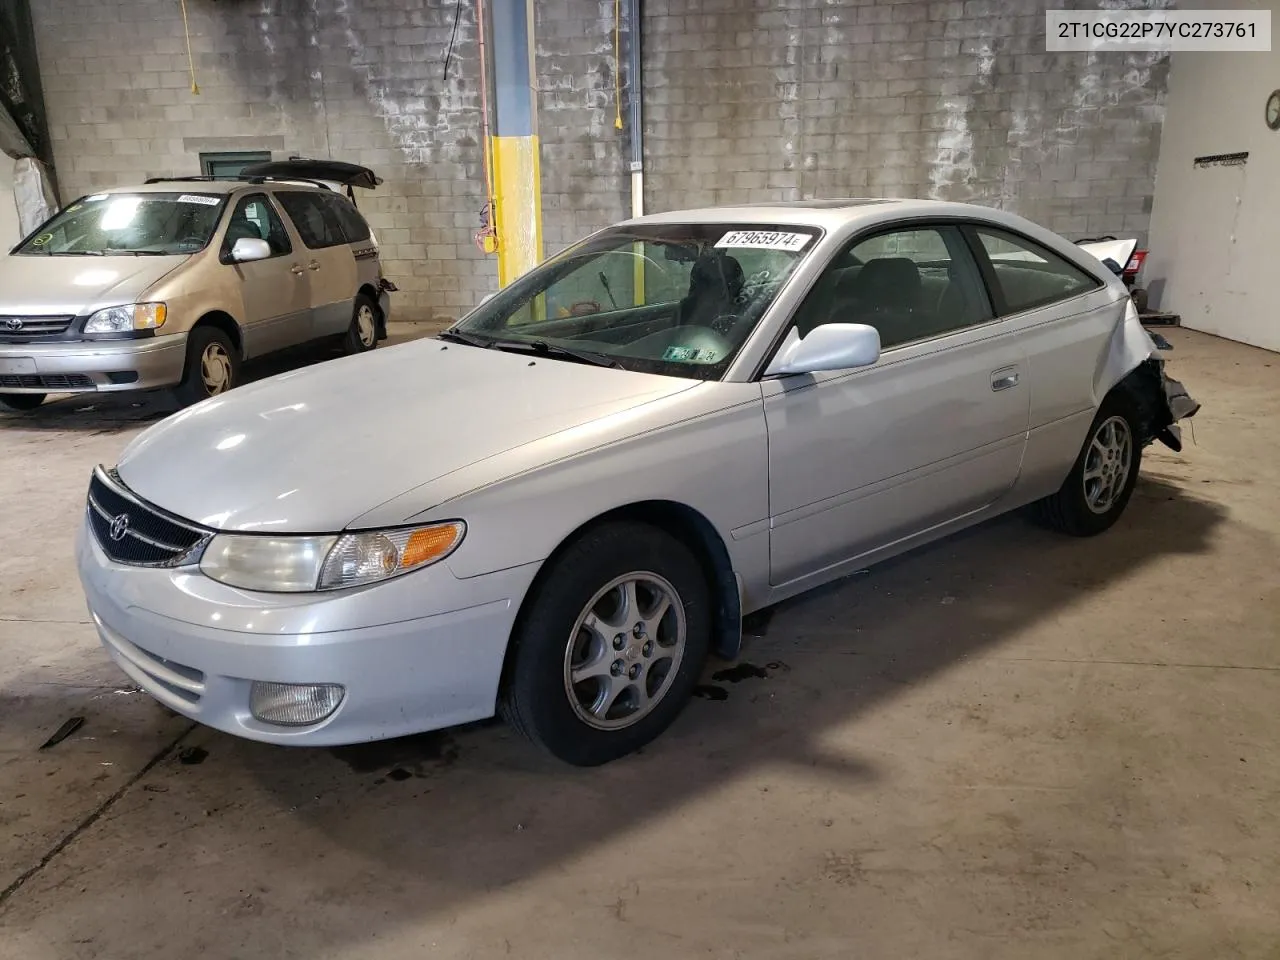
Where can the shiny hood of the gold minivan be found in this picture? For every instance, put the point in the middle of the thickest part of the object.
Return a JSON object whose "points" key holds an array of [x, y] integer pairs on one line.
{"points": [[76, 285]]}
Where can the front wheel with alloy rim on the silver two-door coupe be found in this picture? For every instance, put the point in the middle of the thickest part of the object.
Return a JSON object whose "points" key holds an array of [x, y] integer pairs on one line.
{"points": [[633, 683]]}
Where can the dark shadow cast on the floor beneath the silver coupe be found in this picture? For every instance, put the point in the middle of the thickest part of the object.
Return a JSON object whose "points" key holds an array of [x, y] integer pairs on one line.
{"points": [[417, 828]]}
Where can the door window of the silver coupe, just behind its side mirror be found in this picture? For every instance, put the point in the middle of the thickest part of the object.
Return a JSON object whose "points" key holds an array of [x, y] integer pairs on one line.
{"points": [[911, 285]]}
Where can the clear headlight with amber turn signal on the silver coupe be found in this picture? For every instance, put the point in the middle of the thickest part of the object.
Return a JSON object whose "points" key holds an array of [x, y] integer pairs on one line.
{"points": [[309, 564]]}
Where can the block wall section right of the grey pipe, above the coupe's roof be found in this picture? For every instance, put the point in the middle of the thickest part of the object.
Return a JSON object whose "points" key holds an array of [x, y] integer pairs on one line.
{"points": [[751, 100]]}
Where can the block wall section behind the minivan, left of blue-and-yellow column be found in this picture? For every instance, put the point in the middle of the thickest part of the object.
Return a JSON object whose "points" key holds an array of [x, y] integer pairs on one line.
{"points": [[354, 80]]}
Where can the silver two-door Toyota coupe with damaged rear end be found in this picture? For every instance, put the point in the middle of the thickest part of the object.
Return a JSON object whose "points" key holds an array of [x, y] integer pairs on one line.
{"points": [[561, 506]]}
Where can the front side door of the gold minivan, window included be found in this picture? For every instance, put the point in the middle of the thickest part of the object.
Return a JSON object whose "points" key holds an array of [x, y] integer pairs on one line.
{"points": [[276, 292]]}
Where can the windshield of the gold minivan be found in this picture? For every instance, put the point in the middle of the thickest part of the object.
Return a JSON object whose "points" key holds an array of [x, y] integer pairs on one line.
{"points": [[139, 225]]}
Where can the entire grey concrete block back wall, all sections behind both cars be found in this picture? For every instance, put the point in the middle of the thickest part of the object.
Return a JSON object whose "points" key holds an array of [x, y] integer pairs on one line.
{"points": [[746, 100]]}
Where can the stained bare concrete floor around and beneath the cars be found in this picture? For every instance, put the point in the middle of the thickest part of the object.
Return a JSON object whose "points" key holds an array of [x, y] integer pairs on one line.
{"points": [[1005, 746]]}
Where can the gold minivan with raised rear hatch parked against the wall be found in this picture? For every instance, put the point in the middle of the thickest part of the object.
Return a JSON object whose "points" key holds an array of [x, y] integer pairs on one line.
{"points": [[175, 284]]}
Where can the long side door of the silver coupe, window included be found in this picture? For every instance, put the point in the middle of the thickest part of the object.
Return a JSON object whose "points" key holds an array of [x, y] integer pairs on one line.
{"points": [[932, 432]]}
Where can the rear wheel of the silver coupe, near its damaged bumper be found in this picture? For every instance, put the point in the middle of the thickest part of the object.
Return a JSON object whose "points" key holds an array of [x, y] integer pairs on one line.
{"points": [[1086, 508]]}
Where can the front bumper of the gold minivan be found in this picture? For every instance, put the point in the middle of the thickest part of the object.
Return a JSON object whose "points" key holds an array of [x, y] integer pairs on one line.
{"points": [[93, 367]]}
